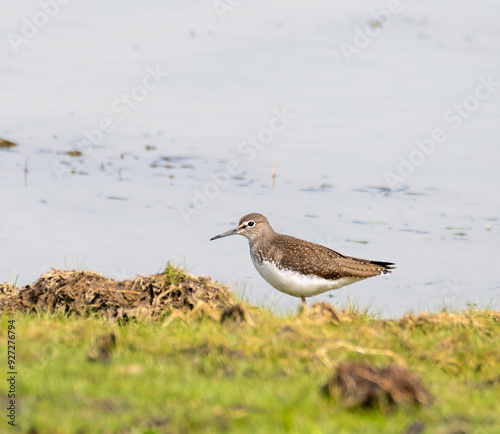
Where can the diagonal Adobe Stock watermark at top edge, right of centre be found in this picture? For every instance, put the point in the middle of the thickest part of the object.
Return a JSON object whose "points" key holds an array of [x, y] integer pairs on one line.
{"points": [[363, 37]]}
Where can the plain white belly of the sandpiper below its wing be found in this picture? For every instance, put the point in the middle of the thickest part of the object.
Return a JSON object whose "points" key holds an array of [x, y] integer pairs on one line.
{"points": [[296, 284]]}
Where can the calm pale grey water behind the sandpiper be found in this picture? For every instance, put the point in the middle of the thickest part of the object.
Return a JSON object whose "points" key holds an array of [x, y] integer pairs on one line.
{"points": [[174, 118]]}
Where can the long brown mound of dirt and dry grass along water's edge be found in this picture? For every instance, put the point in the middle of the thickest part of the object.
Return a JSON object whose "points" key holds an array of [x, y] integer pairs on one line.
{"points": [[86, 292]]}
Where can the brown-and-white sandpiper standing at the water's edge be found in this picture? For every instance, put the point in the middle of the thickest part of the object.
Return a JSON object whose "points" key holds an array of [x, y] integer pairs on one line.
{"points": [[297, 267]]}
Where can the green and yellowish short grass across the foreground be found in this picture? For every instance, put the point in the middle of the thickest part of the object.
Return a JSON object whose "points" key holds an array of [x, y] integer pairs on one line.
{"points": [[191, 374]]}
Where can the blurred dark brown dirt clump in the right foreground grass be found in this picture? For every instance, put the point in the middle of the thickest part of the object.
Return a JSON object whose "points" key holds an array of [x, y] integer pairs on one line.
{"points": [[363, 385]]}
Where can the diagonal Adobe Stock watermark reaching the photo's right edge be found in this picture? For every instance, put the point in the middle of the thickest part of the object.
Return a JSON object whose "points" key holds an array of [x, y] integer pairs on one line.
{"points": [[453, 117]]}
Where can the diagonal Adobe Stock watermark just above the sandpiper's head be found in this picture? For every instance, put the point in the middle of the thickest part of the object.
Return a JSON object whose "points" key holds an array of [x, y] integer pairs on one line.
{"points": [[249, 149]]}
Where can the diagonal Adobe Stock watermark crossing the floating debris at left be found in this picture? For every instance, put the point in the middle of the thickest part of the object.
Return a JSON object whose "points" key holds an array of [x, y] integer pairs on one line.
{"points": [[122, 107]]}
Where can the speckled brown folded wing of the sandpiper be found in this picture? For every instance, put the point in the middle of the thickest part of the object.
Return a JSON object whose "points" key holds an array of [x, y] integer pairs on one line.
{"points": [[310, 258]]}
